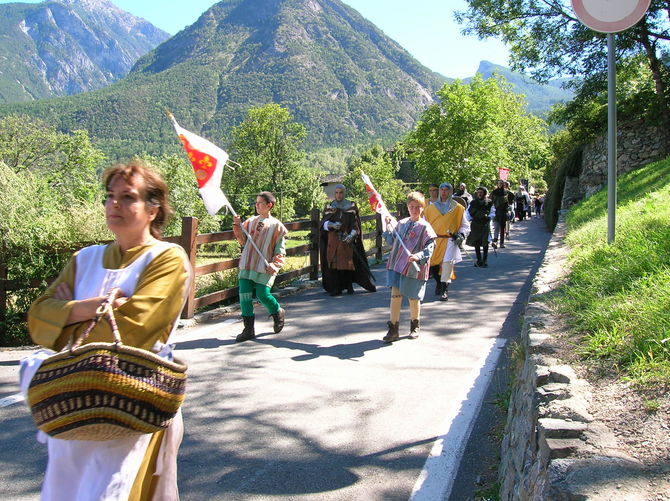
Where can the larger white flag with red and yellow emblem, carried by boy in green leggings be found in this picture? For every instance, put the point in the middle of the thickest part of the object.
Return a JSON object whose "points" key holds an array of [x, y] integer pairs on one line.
{"points": [[208, 161]]}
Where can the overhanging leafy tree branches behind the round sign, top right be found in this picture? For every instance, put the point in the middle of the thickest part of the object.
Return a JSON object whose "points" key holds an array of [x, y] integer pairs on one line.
{"points": [[546, 39]]}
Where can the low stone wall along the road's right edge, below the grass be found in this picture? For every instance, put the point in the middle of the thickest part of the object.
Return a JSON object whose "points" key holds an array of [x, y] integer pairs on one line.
{"points": [[552, 448]]}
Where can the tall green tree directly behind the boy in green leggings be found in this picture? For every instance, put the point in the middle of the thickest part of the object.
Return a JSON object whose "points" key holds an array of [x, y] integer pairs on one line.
{"points": [[267, 145]]}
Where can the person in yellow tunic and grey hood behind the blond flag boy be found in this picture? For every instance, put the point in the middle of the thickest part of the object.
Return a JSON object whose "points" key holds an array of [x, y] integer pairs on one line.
{"points": [[447, 217]]}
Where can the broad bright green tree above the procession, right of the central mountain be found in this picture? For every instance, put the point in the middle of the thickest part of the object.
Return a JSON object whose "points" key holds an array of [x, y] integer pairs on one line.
{"points": [[473, 130]]}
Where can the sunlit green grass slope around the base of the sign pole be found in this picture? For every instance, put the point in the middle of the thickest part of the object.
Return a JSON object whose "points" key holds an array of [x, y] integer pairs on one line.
{"points": [[618, 296]]}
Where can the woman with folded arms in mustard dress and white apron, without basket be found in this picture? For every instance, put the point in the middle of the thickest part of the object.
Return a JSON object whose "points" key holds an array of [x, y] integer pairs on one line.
{"points": [[153, 277]]}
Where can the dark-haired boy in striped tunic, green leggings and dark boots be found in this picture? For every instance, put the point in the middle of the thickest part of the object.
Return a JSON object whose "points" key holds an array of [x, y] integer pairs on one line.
{"points": [[262, 258]]}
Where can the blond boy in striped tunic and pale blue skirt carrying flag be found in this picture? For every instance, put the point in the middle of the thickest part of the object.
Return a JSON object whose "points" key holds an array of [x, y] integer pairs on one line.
{"points": [[408, 264]]}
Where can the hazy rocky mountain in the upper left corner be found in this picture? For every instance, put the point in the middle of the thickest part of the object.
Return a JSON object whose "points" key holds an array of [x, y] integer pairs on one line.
{"points": [[68, 46]]}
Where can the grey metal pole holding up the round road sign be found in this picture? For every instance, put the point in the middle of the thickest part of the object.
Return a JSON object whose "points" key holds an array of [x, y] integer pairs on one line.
{"points": [[611, 139]]}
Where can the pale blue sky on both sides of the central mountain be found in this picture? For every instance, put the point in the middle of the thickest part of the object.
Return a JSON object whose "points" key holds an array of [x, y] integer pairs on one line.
{"points": [[426, 28]]}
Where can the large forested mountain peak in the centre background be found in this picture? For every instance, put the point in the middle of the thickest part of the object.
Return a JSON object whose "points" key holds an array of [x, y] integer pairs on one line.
{"points": [[337, 72]]}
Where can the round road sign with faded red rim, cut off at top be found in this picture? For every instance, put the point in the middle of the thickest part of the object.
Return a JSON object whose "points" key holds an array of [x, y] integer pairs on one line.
{"points": [[610, 16]]}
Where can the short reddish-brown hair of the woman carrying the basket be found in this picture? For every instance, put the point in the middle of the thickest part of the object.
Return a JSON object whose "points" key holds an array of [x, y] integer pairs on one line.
{"points": [[155, 191]]}
